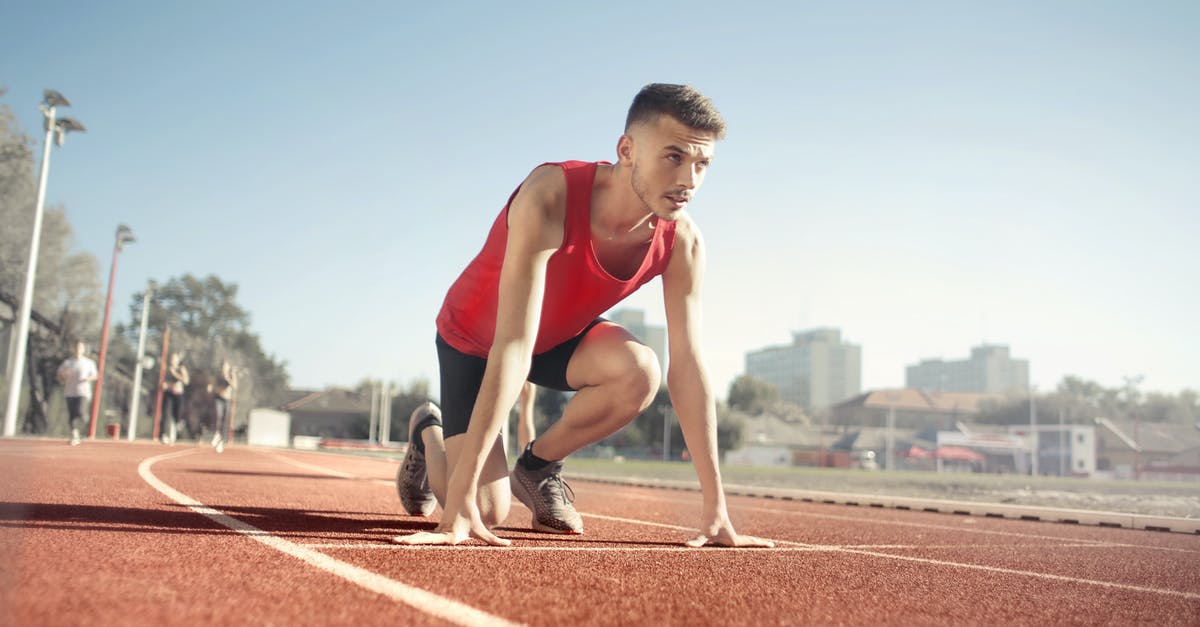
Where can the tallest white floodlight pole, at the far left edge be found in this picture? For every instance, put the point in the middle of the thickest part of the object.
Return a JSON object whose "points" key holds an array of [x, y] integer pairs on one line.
{"points": [[56, 130]]}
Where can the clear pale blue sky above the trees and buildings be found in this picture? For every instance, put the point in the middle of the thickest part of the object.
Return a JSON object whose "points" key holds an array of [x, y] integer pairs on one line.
{"points": [[922, 176]]}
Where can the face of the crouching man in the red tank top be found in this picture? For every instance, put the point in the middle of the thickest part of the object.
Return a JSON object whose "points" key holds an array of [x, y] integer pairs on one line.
{"points": [[669, 160]]}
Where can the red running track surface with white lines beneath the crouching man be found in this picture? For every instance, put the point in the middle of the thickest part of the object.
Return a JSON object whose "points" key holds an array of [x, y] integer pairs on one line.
{"points": [[257, 536]]}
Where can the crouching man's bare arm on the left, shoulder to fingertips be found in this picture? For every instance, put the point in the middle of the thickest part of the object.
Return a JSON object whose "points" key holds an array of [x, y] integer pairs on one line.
{"points": [[536, 232]]}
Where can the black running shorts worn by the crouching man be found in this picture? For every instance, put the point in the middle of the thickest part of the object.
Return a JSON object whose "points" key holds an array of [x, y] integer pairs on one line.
{"points": [[464, 374]]}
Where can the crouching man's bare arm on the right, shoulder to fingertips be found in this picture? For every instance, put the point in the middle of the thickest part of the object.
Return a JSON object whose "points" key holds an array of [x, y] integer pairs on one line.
{"points": [[688, 383]]}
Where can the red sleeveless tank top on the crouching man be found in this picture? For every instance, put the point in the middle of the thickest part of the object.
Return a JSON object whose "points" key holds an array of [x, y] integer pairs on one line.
{"points": [[578, 288]]}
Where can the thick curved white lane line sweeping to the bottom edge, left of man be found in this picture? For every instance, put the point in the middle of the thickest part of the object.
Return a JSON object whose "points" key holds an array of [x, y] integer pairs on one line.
{"points": [[428, 602]]}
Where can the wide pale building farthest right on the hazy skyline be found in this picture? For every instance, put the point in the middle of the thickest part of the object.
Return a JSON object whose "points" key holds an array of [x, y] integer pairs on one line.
{"points": [[991, 371]]}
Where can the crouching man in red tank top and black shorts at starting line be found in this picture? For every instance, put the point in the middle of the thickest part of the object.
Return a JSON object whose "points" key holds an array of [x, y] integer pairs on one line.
{"points": [[573, 241]]}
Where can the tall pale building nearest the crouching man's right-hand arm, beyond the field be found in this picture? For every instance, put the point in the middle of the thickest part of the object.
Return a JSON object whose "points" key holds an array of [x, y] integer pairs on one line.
{"points": [[815, 372]]}
